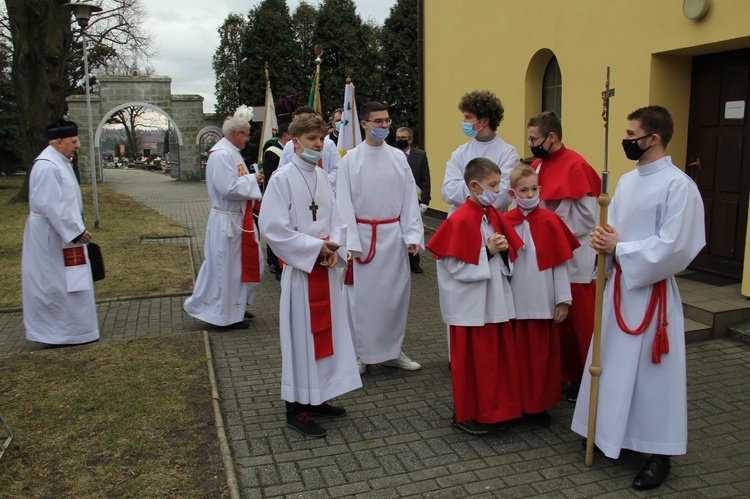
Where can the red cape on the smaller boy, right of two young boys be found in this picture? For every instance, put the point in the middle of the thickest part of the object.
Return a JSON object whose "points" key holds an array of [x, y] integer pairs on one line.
{"points": [[553, 240]]}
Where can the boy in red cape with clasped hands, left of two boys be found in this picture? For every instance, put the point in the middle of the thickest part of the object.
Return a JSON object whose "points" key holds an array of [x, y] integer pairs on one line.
{"points": [[475, 250]]}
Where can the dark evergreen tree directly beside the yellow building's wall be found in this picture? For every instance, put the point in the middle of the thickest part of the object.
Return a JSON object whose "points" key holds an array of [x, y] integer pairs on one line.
{"points": [[400, 76]]}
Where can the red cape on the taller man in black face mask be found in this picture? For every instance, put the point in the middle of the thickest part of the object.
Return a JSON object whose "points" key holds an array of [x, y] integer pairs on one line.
{"points": [[565, 174]]}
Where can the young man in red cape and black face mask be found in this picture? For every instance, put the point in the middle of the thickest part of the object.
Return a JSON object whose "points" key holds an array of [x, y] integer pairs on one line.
{"points": [[569, 187]]}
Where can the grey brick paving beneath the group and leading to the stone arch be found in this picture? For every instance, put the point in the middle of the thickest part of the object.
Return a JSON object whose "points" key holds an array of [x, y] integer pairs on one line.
{"points": [[397, 440]]}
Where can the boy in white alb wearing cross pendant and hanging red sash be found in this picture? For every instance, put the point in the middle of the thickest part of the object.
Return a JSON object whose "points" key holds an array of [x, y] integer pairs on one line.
{"points": [[300, 222]]}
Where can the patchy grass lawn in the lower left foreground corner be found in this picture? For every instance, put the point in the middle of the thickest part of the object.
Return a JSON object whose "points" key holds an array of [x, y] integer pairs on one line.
{"points": [[122, 419]]}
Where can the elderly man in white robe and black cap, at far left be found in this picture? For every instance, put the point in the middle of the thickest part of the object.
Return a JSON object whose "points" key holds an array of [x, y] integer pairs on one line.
{"points": [[58, 291]]}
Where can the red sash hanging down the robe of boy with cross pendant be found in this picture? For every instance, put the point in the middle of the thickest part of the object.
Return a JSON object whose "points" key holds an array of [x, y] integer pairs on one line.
{"points": [[320, 311]]}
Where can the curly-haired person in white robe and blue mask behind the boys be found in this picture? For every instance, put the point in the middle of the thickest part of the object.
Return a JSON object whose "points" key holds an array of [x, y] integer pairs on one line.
{"points": [[482, 113]]}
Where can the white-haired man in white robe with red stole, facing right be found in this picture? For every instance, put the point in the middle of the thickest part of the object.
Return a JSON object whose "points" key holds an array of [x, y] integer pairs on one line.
{"points": [[233, 262]]}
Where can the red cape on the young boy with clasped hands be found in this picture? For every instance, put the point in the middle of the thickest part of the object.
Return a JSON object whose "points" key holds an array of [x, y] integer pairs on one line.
{"points": [[460, 235]]}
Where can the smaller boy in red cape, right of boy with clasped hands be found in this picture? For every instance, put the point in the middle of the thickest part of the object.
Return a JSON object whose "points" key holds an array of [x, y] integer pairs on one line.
{"points": [[541, 292]]}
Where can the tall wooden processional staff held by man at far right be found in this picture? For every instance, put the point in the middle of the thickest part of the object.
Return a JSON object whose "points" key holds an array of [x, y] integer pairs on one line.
{"points": [[596, 369]]}
